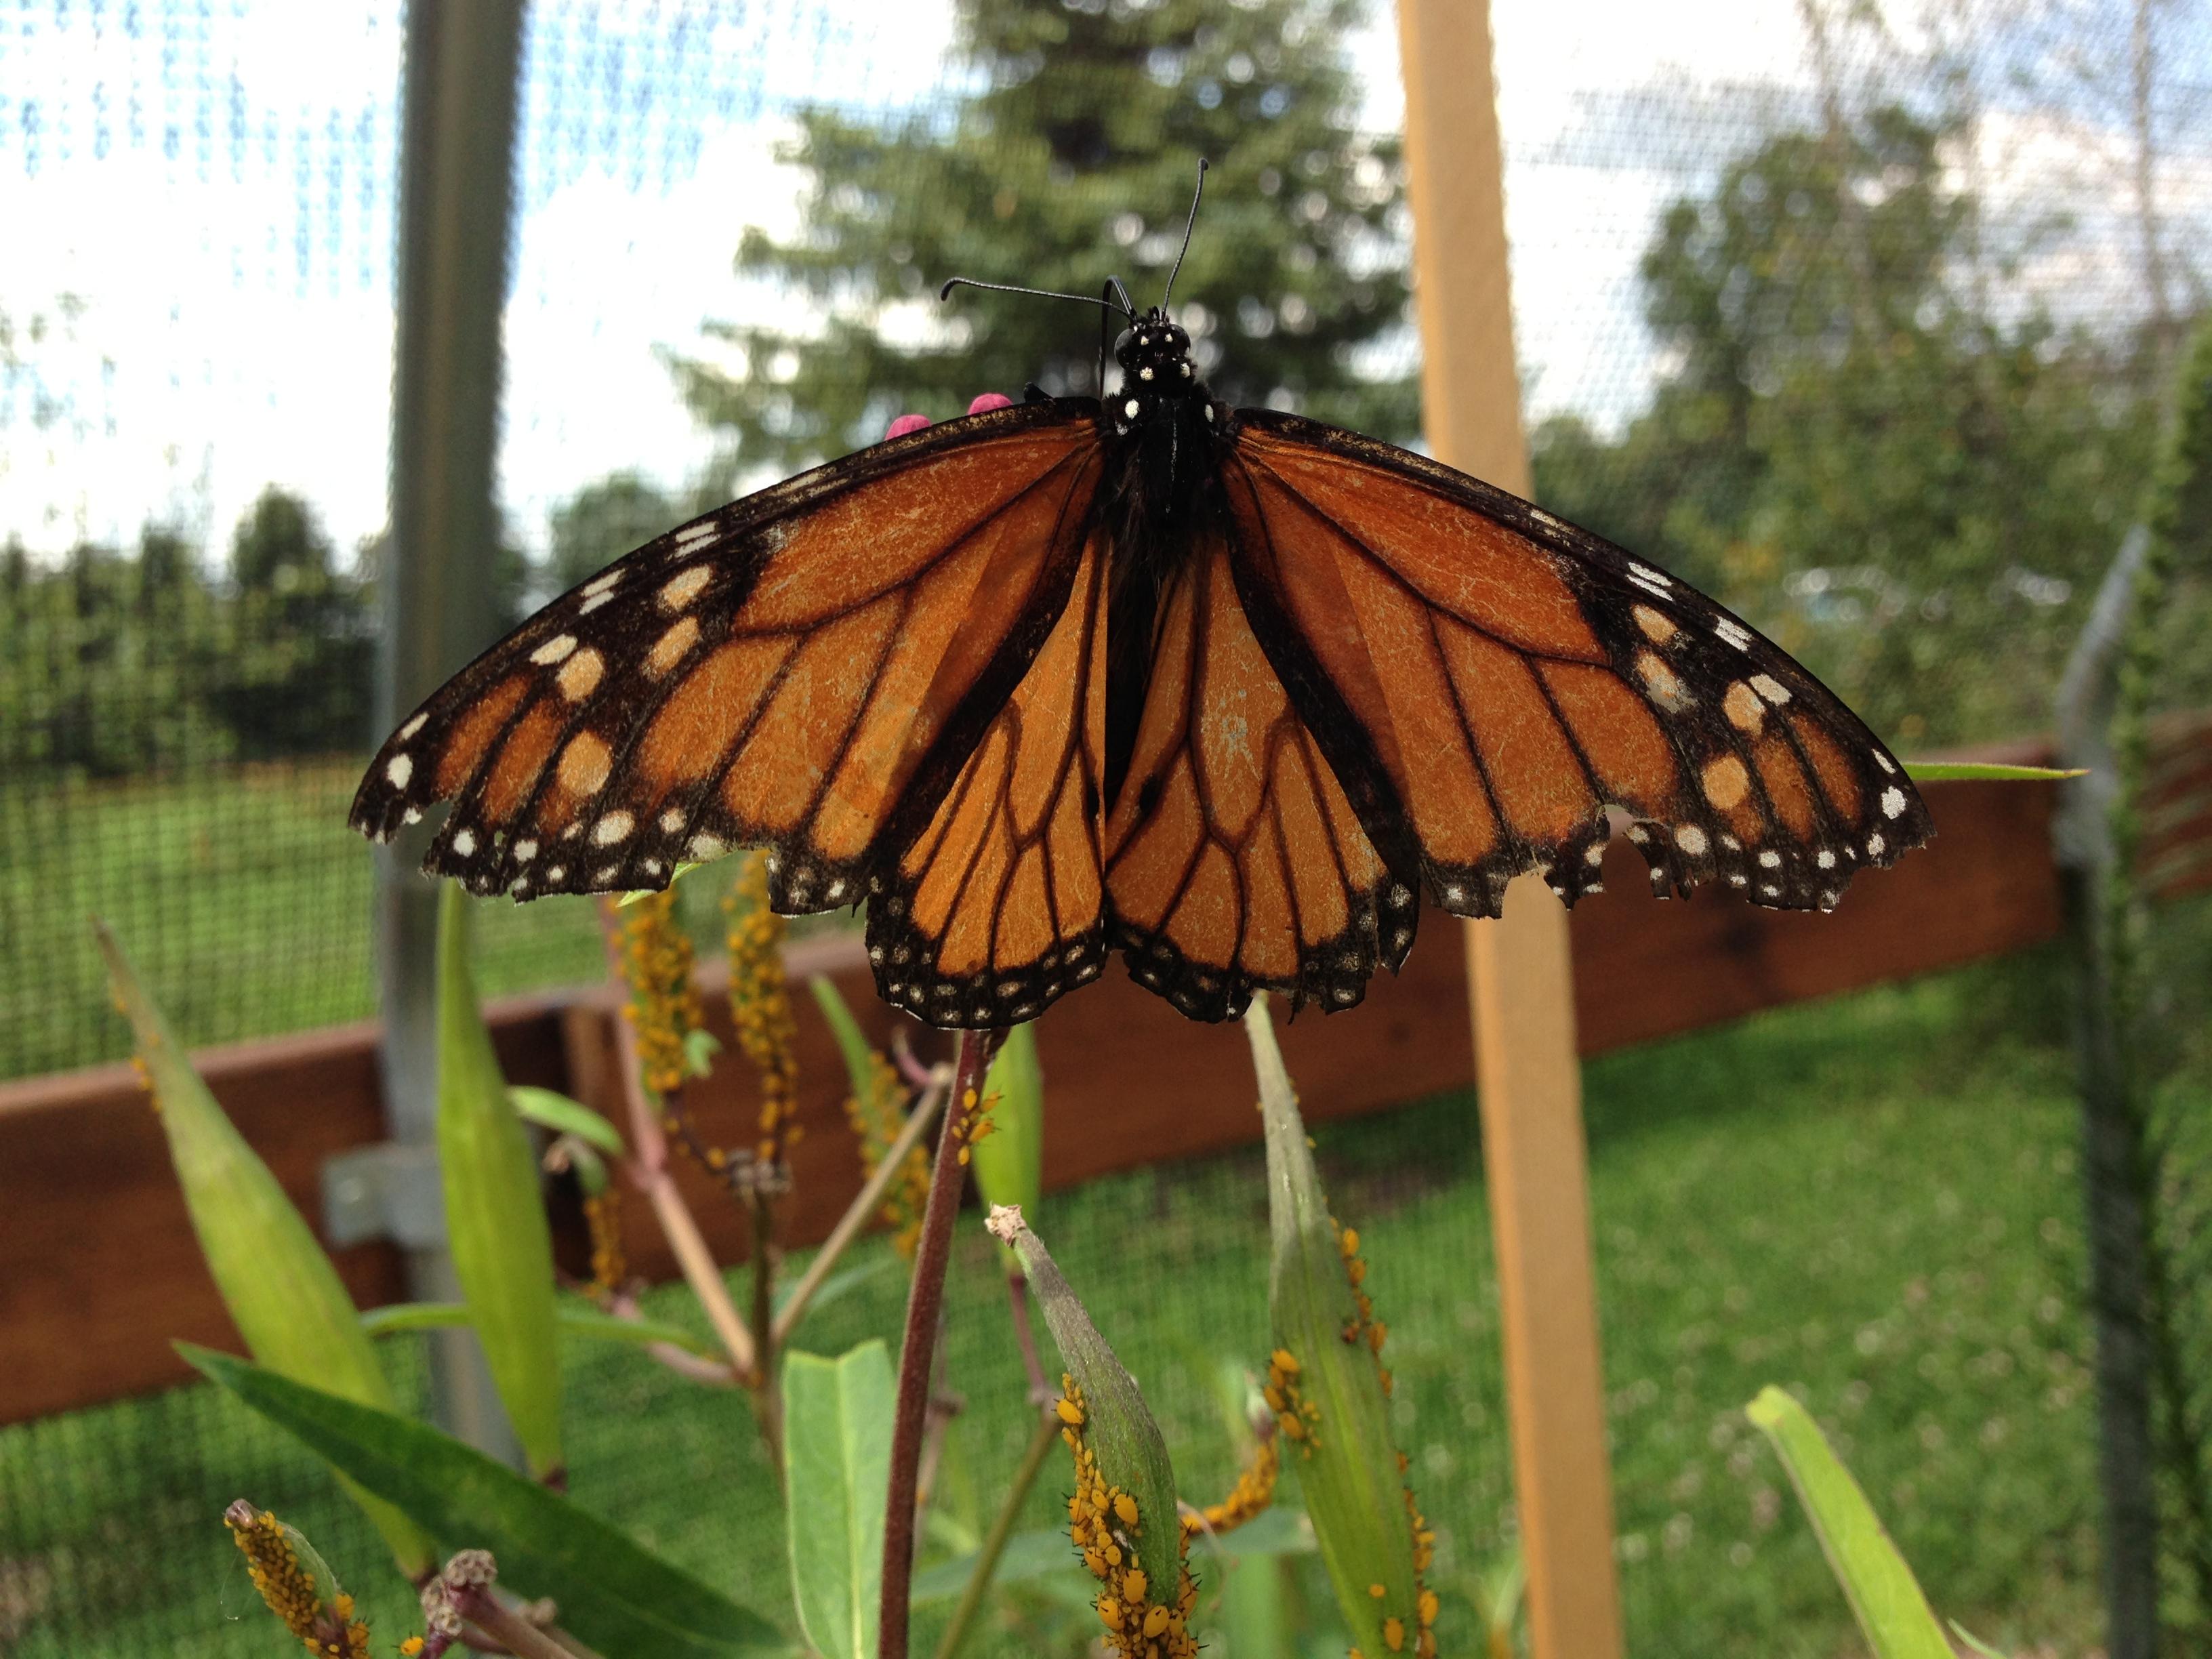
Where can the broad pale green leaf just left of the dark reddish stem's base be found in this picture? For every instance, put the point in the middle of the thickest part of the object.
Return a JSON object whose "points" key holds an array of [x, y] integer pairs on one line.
{"points": [[837, 1461]]}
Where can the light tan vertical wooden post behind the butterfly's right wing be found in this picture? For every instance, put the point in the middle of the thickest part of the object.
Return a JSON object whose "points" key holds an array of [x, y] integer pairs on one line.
{"points": [[1519, 966]]}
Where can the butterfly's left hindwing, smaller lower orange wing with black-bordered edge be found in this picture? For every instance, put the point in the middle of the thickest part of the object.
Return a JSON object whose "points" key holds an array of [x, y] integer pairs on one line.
{"points": [[997, 910]]}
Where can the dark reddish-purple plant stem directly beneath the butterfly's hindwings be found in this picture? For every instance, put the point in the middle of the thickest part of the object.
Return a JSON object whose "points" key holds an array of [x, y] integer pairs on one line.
{"points": [[919, 1348]]}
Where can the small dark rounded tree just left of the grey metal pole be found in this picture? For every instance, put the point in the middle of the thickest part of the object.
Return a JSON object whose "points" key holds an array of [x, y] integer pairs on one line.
{"points": [[300, 654]]}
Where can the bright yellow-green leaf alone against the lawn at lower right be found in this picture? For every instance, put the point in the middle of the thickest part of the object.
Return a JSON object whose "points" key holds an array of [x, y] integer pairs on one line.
{"points": [[1877, 1580]]}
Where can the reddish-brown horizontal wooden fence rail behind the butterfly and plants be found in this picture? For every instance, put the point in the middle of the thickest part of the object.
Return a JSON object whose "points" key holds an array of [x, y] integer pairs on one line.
{"points": [[98, 1266]]}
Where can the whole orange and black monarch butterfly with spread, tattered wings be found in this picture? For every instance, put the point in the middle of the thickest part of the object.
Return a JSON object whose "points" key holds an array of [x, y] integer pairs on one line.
{"points": [[1224, 691]]}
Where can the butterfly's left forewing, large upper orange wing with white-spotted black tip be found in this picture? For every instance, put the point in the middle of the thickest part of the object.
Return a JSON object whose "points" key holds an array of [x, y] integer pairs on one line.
{"points": [[804, 671]]}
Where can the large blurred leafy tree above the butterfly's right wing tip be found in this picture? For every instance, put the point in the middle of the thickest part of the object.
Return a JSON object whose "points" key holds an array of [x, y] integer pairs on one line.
{"points": [[1848, 446]]}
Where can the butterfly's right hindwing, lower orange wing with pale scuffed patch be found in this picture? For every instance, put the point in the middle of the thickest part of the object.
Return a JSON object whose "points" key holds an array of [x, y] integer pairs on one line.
{"points": [[1233, 857]]}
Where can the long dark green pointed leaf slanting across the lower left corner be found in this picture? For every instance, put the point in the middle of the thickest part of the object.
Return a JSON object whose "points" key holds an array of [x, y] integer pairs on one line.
{"points": [[614, 1594]]}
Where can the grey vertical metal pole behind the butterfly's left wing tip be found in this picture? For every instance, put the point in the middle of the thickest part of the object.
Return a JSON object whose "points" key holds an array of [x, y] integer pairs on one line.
{"points": [[457, 194]]}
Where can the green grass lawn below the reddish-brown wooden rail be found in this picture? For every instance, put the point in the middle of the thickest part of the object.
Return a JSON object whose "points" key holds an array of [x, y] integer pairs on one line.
{"points": [[1868, 1200]]}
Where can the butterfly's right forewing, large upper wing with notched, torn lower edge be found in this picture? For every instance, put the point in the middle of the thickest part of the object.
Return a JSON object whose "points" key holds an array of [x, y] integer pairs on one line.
{"points": [[1490, 680]]}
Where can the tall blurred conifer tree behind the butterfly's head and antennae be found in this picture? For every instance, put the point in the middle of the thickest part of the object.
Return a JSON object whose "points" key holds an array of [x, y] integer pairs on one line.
{"points": [[1074, 158]]}
